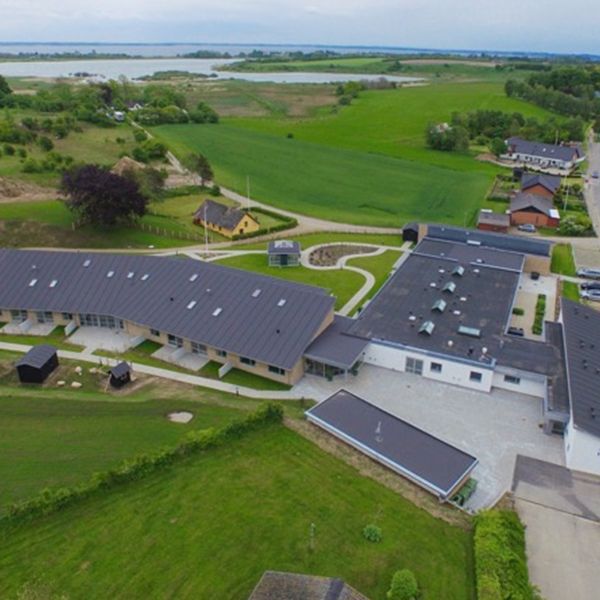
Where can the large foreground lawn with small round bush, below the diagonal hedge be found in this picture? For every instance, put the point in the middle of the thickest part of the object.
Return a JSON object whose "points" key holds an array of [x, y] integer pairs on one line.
{"points": [[208, 528]]}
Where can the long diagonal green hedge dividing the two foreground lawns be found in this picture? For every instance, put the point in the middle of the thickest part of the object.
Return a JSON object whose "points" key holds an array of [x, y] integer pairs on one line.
{"points": [[53, 500]]}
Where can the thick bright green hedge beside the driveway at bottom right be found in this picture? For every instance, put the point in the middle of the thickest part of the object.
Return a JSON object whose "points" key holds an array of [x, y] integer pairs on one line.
{"points": [[500, 560]]}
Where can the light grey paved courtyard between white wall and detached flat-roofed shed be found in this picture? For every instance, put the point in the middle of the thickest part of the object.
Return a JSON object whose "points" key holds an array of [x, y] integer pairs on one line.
{"points": [[493, 427]]}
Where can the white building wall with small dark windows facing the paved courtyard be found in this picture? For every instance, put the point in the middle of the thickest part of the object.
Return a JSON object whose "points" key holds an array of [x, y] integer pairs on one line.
{"points": [[452, 372]]}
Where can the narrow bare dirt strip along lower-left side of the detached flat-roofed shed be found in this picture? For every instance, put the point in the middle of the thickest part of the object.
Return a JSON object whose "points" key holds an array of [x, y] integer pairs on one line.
{"points": [[369, 468]]}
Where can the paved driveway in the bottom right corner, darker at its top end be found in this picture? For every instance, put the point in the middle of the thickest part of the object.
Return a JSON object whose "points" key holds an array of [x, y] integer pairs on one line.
{"points": [[561, 510]]}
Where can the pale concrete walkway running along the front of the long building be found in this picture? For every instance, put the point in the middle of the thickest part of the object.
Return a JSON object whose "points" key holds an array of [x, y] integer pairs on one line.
{"points": [[215, 384]]}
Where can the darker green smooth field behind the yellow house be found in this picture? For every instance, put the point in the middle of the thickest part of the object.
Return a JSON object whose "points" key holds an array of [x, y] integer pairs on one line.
{"points": [[337, 184]]}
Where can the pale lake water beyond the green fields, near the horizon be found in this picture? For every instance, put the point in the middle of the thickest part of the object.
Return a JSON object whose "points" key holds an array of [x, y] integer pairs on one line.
{"points": [[138, 67]]}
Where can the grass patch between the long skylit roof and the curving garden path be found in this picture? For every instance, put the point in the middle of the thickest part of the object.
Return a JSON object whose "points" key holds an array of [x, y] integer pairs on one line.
{"points": [[343, 284]]}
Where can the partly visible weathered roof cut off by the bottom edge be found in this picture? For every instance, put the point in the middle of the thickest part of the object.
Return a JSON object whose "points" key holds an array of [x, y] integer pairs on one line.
{"points": [[276, 585]]}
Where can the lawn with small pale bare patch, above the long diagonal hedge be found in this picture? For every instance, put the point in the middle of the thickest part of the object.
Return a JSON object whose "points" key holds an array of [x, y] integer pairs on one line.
{"points": [[49, 440]]}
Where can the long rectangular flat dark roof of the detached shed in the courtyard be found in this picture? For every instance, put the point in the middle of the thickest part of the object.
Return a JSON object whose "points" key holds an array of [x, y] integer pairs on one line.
{"points": [[432, 463]]}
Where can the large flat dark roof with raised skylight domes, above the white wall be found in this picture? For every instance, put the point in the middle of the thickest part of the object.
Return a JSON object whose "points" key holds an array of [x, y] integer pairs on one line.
{"points": [[483, 298]]}
